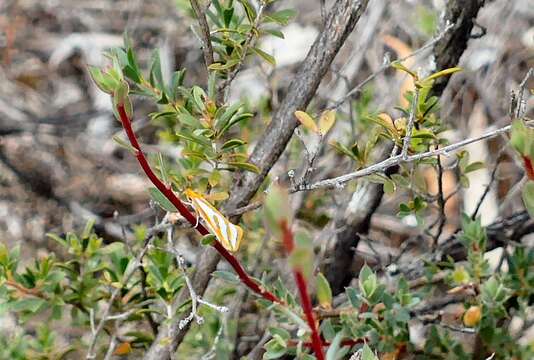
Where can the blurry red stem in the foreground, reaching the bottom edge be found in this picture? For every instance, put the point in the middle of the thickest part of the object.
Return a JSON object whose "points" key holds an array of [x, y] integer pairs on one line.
{"points": [[316, 343]]}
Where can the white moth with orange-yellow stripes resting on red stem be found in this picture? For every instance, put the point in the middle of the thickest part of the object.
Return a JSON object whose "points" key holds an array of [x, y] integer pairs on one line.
{"points": [[228, 234]]}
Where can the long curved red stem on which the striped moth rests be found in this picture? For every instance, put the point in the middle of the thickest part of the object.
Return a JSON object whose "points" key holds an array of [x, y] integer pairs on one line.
{"points": [[184, 211]]}
